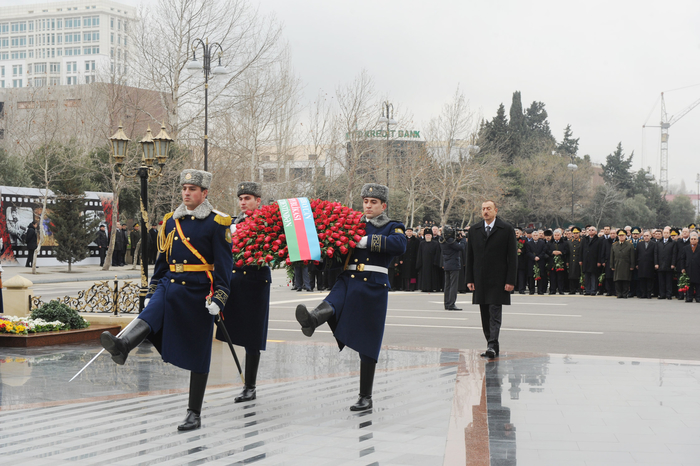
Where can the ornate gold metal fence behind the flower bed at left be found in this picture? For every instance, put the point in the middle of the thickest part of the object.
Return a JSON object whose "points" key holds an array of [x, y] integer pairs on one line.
{"points": [[100, 297]]}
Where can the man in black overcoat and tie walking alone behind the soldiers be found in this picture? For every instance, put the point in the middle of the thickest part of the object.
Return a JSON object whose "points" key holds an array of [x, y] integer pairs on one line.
{"points": [[492, 262]]}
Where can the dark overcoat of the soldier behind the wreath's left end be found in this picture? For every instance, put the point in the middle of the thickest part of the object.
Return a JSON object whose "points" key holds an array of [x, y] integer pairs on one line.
{"points": [[247, 312]]}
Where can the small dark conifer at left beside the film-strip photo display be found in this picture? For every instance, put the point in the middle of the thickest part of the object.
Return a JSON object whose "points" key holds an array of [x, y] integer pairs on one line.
{"points": [[72, 230]]}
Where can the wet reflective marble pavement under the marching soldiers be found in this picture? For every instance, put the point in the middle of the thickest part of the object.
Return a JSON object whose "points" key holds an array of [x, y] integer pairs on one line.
{"points": [[432, 407]]}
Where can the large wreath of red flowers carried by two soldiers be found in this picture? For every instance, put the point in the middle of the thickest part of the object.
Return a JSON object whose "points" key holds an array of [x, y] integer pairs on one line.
{"points": [[260, 239]]}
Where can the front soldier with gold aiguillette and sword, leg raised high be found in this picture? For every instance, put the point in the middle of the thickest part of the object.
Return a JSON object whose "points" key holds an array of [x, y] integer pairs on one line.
{"points": [[190, 285]]}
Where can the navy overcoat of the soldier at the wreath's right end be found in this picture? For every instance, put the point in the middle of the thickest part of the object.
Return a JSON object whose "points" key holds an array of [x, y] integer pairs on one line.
{"points": [[360, 298]]}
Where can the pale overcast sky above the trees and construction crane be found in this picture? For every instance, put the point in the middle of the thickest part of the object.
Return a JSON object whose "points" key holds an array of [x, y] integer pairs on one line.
{"points": [[597, 65]]}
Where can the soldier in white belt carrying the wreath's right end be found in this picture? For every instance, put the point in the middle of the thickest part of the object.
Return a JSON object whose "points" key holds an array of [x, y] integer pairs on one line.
{"points": [[356, 307]]}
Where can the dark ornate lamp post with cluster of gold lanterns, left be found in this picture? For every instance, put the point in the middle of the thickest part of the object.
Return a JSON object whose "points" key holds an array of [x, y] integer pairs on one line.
{"points": [[154, 149]]}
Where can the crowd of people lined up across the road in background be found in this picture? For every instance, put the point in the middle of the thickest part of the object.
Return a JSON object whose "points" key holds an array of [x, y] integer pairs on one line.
{"points": [[624, 262]]}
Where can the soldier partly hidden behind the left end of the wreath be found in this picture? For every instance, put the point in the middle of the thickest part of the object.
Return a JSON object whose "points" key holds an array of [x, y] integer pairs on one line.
{"points": [[247, 314]]}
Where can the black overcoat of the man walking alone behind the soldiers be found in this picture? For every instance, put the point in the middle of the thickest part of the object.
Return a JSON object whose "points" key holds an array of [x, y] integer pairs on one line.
{"points": [[491, 262]]}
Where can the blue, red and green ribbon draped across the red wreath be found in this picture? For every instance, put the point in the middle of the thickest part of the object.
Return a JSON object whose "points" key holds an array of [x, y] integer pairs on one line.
{"points": [[300, 229]]}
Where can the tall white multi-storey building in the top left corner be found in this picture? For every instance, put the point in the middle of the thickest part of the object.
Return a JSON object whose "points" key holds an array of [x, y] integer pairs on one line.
{"points": [[63, 43]]}
